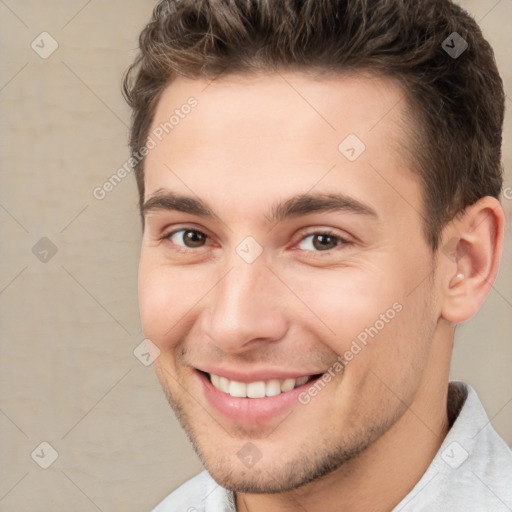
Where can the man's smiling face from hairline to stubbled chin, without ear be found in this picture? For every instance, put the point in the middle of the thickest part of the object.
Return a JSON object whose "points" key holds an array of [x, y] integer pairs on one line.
{"points": [[259, 294]]}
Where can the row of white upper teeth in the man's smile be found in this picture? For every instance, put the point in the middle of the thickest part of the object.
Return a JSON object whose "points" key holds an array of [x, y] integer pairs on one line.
{"points": [[258, 389]]}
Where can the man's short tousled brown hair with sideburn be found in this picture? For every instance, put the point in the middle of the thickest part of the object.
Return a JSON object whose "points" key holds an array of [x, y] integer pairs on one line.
{"points": [[458, 103]]}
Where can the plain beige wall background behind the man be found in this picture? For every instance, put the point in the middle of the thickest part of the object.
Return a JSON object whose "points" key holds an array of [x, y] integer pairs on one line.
{"points": [[69, 326]]}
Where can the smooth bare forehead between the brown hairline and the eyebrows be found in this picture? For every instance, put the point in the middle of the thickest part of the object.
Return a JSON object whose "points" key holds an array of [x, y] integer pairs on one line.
{"points": [[268, 133]]}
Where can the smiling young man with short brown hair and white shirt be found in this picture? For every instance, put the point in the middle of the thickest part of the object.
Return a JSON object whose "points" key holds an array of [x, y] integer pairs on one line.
{"points": [[319, 188]]}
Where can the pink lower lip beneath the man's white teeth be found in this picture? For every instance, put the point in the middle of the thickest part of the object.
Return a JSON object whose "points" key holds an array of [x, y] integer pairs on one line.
{"points": [[251, 411]]}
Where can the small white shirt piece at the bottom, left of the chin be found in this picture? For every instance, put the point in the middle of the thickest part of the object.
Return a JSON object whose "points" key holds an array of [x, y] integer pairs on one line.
{"points": [[189, 496]]}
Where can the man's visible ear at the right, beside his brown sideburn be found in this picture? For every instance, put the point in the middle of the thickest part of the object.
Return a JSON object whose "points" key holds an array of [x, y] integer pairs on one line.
{"points": [[469, 258]]}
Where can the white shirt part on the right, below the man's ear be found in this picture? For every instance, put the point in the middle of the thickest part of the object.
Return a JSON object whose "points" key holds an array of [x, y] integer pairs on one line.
{"points": [[472, 470]]}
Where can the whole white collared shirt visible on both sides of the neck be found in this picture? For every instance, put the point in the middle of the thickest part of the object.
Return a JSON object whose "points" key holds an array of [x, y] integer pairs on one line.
{"points": [[471, 472]]}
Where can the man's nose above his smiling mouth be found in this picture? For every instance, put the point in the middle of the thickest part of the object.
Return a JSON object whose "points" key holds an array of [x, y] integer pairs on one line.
{"points": [[246, 309]]}
